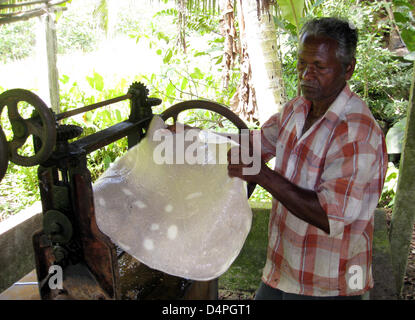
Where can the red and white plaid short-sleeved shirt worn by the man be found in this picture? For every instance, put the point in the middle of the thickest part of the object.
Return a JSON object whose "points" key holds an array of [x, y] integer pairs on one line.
{"points": [[343, 158]]}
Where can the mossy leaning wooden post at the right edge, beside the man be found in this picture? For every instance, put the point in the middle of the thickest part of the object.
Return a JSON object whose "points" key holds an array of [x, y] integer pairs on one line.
{"points": [[403, 215]]}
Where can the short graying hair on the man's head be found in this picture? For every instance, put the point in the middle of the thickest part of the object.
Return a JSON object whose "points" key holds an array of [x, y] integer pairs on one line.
{"points": [[344, 32]]}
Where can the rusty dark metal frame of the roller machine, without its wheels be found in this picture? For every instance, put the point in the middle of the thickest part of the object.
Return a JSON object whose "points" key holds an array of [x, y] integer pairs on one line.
{"points": [[65, 186]]}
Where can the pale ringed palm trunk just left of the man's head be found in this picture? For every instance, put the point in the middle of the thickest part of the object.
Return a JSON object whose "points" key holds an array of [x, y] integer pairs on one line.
{"points": [[261, 44]]}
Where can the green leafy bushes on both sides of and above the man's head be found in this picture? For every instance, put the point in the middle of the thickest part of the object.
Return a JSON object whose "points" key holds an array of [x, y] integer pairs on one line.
{"points": [[381, 78]]}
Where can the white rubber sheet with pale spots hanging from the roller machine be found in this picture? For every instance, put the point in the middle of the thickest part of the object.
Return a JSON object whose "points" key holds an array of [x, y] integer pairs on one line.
{"points": [[188, 220]]}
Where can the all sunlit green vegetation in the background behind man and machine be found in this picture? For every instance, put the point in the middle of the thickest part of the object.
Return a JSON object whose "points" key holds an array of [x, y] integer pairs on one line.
{"points": [[382, 77]]}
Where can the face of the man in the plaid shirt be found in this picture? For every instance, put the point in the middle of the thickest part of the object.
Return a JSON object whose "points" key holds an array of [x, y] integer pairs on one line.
{"points": [[321, 73]]}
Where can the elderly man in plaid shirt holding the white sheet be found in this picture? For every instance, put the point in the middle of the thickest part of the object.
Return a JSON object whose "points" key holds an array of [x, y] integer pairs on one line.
{"points": [[329, 171]]}
